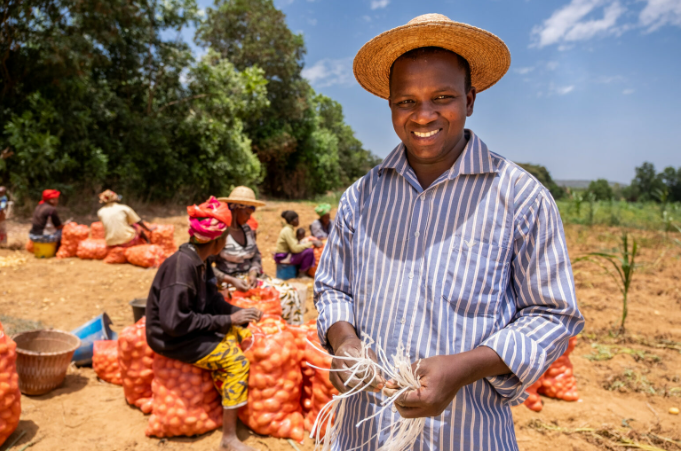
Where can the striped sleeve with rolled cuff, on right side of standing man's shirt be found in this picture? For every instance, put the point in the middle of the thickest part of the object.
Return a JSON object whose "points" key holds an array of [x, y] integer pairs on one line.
{"points": [[545, 303]]}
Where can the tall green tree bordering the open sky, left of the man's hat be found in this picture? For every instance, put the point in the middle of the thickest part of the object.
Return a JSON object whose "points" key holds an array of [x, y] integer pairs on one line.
{"points": [[302, 151]]}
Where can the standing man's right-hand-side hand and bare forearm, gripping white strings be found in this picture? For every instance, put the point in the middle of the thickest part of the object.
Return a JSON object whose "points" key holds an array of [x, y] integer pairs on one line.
{"points": [[441, 379]]}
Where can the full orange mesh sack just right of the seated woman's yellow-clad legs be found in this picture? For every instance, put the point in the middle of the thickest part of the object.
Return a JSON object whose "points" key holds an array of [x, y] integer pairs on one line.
{"points": [[274, 382]]}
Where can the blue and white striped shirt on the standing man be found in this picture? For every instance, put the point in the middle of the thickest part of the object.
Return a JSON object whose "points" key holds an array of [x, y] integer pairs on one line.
{"points": [[478, 258]]}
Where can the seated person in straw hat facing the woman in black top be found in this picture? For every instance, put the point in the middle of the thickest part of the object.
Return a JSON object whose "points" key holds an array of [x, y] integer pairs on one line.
{"points": [[240, 262]]}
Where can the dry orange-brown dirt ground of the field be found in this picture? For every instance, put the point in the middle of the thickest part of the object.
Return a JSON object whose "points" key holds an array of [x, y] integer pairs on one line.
{"points": [[627, 384]]}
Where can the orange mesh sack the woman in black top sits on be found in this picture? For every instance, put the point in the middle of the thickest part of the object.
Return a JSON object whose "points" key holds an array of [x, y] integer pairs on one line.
{"points": [[185, 400]]}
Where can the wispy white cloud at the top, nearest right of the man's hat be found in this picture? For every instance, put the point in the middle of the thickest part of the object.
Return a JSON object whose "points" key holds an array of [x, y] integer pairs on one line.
{"points": [[568, 24]]}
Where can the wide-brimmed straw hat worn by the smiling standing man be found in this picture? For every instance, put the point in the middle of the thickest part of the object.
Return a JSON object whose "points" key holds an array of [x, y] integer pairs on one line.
{"points": [[487, 55]]}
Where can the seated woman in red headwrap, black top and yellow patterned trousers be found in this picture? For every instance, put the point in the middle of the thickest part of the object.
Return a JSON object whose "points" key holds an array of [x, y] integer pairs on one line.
{"points": [[189, 320]]}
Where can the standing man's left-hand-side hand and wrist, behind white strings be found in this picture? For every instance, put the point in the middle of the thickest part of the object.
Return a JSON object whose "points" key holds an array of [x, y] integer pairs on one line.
{"points": [[344, 341]]}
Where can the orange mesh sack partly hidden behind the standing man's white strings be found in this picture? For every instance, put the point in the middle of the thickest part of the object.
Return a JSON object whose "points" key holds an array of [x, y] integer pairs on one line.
{"points": [[322, 388]]}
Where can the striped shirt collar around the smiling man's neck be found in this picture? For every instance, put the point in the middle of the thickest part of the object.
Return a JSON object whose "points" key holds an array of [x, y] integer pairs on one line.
{"points": [[475, 159]]}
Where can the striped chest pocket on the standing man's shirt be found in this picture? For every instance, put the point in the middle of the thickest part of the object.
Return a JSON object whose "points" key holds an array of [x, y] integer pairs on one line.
{"points": [[476, 277]]}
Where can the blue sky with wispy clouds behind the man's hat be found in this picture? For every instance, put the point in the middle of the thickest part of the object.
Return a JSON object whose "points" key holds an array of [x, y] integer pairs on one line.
{"points": [[594, 87]]}
